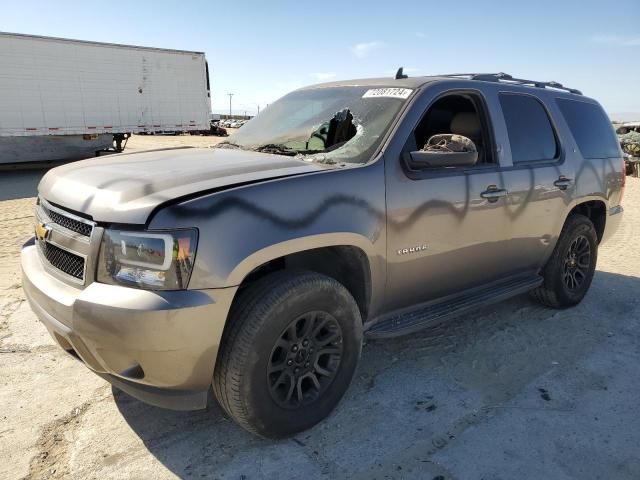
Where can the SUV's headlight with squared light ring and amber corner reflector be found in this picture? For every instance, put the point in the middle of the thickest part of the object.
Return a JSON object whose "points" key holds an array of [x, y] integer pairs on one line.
{"points": [[161, 260]]}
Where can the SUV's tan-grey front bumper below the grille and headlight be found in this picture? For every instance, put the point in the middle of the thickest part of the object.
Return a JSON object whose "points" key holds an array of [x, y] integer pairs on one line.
{"points": [[159, 347]]}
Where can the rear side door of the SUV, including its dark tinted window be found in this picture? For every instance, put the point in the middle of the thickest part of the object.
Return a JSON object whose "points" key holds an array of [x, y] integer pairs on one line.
{"points": [[540, 180]]}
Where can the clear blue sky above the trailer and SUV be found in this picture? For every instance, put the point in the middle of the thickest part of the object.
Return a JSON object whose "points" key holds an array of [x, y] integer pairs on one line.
{"points": [[261, 50]]}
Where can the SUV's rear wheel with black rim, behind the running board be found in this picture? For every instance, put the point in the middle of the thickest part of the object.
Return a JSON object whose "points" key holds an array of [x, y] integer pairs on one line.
{"points": [[568, 273]]}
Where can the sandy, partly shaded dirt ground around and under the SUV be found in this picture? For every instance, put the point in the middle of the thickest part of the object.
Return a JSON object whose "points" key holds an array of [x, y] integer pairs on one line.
{"points": [[514, 391]]}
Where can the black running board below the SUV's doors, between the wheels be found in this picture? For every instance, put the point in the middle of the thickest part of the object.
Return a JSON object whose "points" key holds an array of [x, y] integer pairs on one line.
{"points": [[428, 314]]}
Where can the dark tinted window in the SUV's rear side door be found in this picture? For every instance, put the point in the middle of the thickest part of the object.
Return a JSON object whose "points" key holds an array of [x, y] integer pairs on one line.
{"points": [[531, 135]]}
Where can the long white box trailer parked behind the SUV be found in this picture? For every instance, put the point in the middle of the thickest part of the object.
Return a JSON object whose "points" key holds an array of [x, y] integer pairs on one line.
{"points": [[66, 99]]}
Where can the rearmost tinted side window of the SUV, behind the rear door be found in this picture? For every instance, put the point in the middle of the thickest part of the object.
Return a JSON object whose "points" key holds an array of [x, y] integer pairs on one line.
{"points": [[591, 129]]}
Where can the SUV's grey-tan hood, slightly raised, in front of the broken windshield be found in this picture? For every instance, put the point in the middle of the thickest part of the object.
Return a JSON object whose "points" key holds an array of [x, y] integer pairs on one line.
{"points": [[126, 188]]}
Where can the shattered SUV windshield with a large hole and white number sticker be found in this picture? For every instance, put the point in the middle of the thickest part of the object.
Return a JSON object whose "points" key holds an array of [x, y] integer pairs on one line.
{"points": [[327, 125]]}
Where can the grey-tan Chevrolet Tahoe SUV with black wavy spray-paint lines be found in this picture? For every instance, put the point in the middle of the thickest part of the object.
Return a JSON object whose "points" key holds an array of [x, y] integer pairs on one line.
{"points": [[367, 207]]}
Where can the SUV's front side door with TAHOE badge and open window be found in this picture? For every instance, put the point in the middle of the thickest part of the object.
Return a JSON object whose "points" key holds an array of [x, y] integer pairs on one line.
{"points": [[446, 231]]}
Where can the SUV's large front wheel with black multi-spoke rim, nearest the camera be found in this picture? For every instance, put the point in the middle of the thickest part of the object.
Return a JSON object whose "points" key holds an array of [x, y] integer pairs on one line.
{"points": [[260, 351]]}
